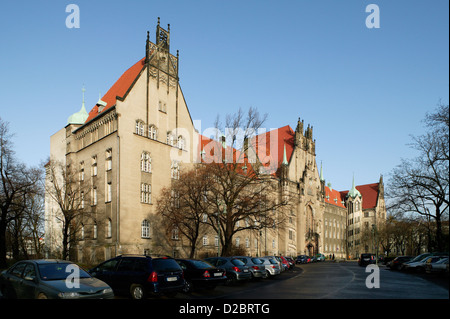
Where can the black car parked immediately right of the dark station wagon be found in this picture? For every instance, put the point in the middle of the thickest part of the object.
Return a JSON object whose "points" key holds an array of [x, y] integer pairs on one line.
{"points": [[200, 274]]}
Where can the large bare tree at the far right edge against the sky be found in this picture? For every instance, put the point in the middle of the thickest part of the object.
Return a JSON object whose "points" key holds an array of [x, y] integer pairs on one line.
{"points": [[421, 185]]}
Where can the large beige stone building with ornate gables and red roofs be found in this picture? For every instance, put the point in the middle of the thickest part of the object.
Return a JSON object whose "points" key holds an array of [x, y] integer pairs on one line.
{"points": [[133, 142]]}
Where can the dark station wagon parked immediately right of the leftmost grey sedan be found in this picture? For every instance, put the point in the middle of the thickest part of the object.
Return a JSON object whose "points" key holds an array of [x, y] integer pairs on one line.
{"points": [[141, 275]]}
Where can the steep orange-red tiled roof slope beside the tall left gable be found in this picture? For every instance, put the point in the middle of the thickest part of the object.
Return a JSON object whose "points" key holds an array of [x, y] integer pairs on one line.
{"points": [[119, 89]]}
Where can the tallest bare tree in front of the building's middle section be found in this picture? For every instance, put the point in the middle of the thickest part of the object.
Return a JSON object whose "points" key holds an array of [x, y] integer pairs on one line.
{"points": [[244, 194]]}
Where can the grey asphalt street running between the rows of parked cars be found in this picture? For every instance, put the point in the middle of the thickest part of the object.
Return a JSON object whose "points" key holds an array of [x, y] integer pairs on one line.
{"points": [[328, 280]]}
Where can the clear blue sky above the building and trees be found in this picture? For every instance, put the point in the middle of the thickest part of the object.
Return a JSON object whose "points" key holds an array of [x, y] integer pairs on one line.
{"points": [[365, 91]]}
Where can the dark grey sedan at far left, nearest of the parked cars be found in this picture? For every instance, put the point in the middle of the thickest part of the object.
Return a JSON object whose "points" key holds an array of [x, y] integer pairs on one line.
{"points": [[49, 279]]}
